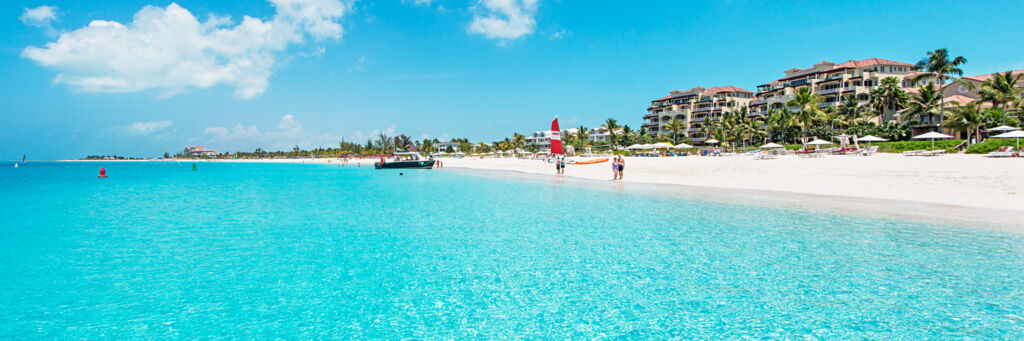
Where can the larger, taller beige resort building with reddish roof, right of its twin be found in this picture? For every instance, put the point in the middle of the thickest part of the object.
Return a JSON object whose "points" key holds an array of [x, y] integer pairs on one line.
{"points": [[832, 81]]}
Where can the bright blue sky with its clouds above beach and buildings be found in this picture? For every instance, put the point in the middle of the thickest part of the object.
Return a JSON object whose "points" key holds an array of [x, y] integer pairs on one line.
{"points": [[313, 72]]}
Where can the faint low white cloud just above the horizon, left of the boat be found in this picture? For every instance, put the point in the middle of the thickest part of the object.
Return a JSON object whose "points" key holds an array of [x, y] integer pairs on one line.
{"points": [[288, 135]]}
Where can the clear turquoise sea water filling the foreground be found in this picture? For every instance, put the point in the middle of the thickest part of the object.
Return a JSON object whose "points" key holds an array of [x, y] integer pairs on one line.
{"points": [[315, 251]]}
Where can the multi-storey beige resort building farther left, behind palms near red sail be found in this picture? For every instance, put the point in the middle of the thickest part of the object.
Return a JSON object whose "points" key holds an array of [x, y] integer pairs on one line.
{"points": [[695, 107]]}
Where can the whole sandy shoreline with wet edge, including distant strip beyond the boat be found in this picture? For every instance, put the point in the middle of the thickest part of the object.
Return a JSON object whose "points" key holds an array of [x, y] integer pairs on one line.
{"points": [[957, 190]]}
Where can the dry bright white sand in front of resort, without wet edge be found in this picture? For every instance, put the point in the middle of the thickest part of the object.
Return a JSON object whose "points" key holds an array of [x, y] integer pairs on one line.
{"points": [[954, 180]]}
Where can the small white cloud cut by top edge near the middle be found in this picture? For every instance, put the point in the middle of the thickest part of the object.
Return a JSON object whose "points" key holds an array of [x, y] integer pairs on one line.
{"points": [[505, 20]]}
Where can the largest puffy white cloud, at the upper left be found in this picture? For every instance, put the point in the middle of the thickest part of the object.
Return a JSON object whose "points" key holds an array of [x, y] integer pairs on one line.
{"points": [[170, 51]]}
